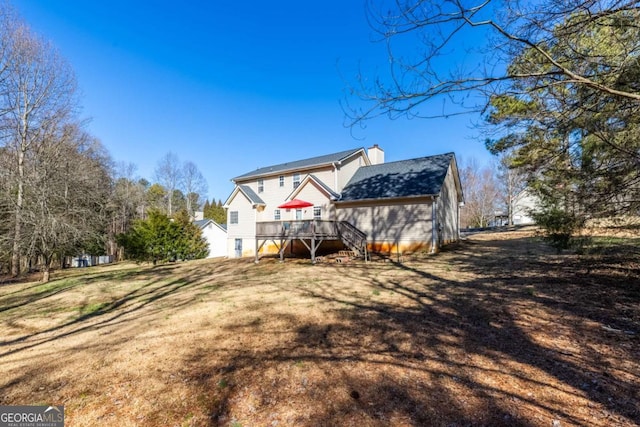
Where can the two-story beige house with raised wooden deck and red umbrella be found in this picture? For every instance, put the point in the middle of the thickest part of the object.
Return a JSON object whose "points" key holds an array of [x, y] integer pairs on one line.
{"points": [[351, 198]]}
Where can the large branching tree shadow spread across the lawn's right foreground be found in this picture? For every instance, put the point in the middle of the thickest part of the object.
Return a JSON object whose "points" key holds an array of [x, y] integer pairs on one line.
{"points": [[426, 348]]}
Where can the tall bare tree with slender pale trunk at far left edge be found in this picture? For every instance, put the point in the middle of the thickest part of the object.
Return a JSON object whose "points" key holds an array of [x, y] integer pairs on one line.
{"points": [[37, 94]]}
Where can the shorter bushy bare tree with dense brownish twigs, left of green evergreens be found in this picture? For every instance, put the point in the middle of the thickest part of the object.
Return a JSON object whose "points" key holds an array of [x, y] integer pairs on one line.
{"points": [[66, 211]]}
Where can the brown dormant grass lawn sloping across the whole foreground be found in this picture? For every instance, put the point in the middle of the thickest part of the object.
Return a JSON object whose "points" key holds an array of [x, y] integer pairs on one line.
{"points": [[498, 330]]}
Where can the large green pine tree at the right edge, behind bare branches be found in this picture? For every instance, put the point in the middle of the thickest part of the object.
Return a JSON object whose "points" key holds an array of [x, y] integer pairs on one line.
{"points": [[580, 145]]}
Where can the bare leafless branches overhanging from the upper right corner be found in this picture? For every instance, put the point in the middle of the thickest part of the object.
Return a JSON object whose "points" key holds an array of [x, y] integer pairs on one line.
{"points": [[461, 50]]}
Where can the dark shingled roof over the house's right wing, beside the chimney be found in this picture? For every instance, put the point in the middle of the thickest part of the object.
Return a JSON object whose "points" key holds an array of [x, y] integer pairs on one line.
{"points": [[406, 178]]}
